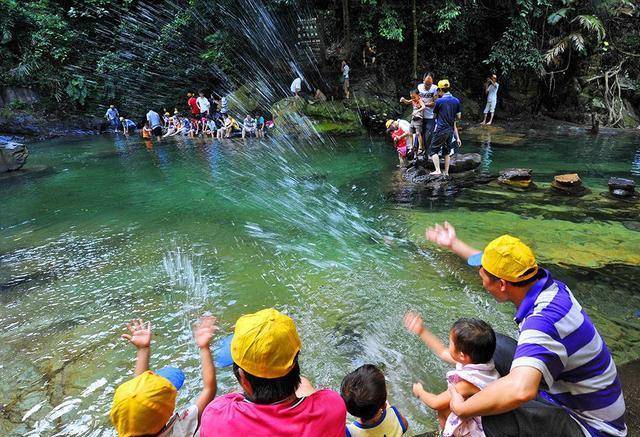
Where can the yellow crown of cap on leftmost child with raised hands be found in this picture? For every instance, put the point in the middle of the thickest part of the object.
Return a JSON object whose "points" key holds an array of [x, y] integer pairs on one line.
{"points": [[143, 405]]}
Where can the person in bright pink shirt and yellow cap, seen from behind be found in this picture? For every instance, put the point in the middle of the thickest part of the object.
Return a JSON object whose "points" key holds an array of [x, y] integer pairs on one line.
{"points": [[275, 400]]}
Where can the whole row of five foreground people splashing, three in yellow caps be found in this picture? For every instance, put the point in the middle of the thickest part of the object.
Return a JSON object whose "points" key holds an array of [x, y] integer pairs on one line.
{"points": [[557, 379]]}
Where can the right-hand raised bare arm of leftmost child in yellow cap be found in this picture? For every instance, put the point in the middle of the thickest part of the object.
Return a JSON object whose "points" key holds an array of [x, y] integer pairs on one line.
{"points": [[203, 332]]}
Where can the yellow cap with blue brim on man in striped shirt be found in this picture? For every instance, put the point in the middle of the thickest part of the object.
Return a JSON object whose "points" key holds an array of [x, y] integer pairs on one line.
{"points": [[507, 258]]}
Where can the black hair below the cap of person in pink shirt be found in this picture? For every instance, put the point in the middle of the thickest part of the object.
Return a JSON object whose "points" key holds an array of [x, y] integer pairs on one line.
{"points": [[270, 390]]}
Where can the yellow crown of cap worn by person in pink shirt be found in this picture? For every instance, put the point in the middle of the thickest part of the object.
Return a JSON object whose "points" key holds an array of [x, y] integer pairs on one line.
{"points": [[265, 343]]}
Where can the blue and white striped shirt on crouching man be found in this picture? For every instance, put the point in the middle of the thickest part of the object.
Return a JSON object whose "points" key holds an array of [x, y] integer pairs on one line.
{"points": [[558, 338]]}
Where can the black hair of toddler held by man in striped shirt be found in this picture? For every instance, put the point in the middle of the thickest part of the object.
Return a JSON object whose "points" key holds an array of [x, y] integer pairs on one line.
{"points": [[475, 338]]}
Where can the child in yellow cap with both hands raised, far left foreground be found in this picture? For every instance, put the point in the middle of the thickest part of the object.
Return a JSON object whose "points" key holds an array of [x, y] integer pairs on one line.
{"points": [[144, 405]]}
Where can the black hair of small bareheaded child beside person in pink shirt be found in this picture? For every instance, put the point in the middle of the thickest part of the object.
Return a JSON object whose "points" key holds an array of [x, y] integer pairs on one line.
{"points": [[364, 391]]}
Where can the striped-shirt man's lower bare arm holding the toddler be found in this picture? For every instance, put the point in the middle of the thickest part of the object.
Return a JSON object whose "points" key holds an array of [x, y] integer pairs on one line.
{"points": [[506, 394]]}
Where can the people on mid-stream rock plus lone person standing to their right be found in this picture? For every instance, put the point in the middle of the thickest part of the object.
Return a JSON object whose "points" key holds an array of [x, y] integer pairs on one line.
{"points": [[433, 127]]}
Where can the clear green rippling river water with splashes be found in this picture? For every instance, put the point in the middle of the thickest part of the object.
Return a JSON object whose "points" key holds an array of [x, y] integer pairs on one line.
{"points": [[324, 232]]}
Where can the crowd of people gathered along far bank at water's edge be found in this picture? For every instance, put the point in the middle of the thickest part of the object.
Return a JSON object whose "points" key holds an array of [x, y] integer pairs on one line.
{"points": [[200, 120]]}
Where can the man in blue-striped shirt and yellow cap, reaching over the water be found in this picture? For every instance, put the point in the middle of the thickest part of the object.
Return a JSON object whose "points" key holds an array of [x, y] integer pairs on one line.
{"points": [[563, 381]]}
